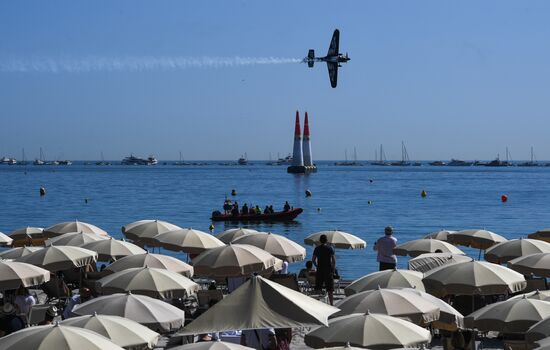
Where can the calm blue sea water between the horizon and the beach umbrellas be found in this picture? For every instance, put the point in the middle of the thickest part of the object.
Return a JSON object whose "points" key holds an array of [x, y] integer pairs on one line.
{"points": [[458, 198]]}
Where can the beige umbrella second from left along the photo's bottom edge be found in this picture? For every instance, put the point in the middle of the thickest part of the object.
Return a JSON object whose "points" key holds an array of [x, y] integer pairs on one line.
{"points": [[121, 331]]}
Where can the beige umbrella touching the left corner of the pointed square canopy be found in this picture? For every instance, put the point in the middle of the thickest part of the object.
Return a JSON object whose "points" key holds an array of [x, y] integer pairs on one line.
{"points": [[152, 313]]}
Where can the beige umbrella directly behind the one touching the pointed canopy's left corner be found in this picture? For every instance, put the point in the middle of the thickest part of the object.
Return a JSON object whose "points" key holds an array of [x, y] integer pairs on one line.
{"points": [[156, 283]]}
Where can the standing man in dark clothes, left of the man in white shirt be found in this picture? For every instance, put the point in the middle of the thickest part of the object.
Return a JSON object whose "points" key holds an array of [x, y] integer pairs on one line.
{"points": [[325, 261]]}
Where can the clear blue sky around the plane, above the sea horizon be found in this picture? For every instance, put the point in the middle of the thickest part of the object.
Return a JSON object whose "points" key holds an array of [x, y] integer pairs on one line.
{"points": [[452, 79]]}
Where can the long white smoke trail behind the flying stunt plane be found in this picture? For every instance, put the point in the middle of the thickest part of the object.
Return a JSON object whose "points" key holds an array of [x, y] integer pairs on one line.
{"points": [[130, 63]]}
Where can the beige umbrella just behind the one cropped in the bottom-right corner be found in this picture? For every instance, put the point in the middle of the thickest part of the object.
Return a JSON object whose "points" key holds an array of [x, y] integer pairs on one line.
{"points": [[509, 316]]}
